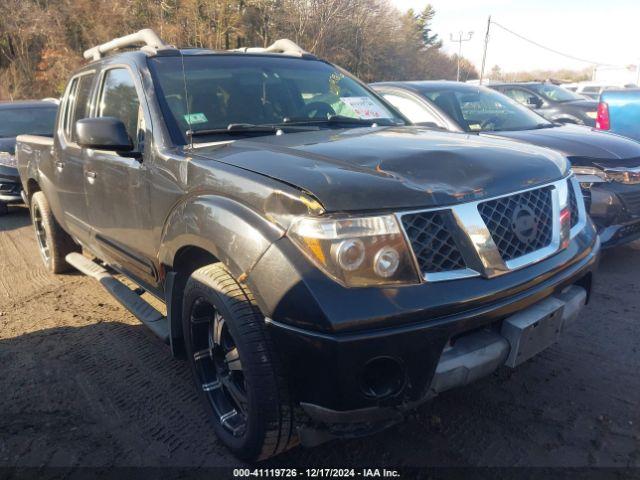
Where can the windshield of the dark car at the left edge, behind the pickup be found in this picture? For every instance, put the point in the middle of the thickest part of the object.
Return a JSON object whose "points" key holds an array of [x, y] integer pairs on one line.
{"points": [[20, 121]]}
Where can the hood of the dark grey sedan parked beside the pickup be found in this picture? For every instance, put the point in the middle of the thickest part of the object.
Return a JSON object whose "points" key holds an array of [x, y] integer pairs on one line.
{"points": [[580, 144]]}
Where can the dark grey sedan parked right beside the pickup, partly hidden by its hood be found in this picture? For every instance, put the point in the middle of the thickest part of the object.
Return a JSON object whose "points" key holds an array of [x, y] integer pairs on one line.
{"points": [[606, 165]]}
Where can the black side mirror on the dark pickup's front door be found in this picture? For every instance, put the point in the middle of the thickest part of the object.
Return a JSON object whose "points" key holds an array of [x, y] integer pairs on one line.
{"points": [[103, 133]]}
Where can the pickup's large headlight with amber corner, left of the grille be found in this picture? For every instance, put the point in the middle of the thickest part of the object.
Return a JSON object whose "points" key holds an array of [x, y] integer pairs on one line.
{"points": [[358, 251]]}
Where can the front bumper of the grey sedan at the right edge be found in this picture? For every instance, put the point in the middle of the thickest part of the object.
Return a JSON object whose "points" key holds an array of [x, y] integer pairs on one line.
{"points": [[615, 209]]}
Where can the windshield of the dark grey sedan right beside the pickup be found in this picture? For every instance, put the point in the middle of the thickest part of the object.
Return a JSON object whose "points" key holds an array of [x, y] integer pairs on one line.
{"points": [[483, 110]]}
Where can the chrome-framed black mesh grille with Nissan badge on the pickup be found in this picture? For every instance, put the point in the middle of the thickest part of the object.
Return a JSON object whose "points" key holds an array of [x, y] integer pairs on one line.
{"points": [[490, 237]]}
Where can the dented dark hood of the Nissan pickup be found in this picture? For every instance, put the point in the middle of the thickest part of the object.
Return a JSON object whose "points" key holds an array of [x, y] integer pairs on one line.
{"points": [[392, 167]]}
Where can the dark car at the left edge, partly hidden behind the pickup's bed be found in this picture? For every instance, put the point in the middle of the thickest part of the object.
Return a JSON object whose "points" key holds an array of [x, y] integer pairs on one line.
{"points": [[16, 118]]}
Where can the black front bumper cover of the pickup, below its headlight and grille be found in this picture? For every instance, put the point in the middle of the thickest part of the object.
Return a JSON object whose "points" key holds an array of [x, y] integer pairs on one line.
{"points": [[356, 352]]}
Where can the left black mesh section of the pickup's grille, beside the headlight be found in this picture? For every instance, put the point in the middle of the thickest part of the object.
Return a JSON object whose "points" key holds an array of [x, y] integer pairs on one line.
{"points": [[433, 245]]}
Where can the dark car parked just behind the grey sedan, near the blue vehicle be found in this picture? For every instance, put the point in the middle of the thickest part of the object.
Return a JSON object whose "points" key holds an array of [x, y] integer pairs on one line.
{"points": [[552, 102]]}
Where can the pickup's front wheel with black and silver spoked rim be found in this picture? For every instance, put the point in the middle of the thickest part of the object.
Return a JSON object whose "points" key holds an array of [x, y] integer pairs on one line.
{"points": [[235, 366]]}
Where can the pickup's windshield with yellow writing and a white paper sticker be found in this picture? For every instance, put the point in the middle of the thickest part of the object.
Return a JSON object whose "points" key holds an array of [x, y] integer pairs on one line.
{"points": [[247, 90]]}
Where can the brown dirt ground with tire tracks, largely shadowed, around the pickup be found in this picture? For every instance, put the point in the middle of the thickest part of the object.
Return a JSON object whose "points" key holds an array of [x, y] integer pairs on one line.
{"points": [[82, 383]]}
